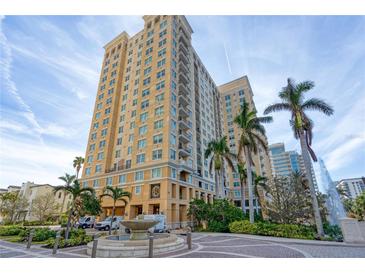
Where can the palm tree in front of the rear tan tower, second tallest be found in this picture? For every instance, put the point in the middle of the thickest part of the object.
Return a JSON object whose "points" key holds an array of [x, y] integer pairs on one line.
{"points": [[252, 132]]}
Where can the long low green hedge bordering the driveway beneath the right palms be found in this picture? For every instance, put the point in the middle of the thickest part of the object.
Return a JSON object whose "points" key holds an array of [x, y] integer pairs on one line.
{"points": [[275, 230]]}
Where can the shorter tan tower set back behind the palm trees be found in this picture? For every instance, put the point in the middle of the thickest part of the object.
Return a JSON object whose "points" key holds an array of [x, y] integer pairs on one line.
{"points": [[233, 94]]}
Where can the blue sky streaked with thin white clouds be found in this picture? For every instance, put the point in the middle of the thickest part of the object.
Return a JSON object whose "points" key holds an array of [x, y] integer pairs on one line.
{"points": [[50, 69]]}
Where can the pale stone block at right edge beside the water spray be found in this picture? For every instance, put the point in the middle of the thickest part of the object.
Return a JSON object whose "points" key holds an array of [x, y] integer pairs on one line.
{"points": [[353, 231]]}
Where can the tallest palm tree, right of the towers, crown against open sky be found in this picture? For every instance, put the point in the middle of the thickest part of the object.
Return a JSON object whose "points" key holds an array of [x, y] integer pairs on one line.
{"points": [[292, 97]]}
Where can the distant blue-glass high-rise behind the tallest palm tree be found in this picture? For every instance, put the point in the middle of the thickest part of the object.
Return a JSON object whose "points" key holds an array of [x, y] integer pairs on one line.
{"points": [[285, 163]]}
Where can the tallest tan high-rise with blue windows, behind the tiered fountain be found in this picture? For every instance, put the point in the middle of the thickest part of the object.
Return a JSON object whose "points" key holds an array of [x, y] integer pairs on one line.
{"points": [[155, 110]]}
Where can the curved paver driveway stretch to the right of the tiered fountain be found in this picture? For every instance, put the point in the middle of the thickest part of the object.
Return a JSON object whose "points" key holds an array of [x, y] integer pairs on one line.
{"points": [[211, 245]]}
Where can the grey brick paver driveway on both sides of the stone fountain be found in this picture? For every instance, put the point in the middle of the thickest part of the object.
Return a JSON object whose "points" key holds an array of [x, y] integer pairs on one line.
{"points": [[214, 245]]}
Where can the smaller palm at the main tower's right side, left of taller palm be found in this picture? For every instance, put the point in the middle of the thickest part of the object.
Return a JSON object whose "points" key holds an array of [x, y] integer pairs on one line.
{"points": [[219, 152]]}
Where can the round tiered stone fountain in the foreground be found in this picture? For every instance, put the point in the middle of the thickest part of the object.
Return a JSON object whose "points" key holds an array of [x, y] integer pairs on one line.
{"points": [[136, 244]]}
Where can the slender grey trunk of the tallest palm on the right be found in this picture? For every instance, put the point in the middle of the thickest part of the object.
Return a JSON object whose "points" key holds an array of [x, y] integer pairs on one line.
{"points": [[308, 175]]}
